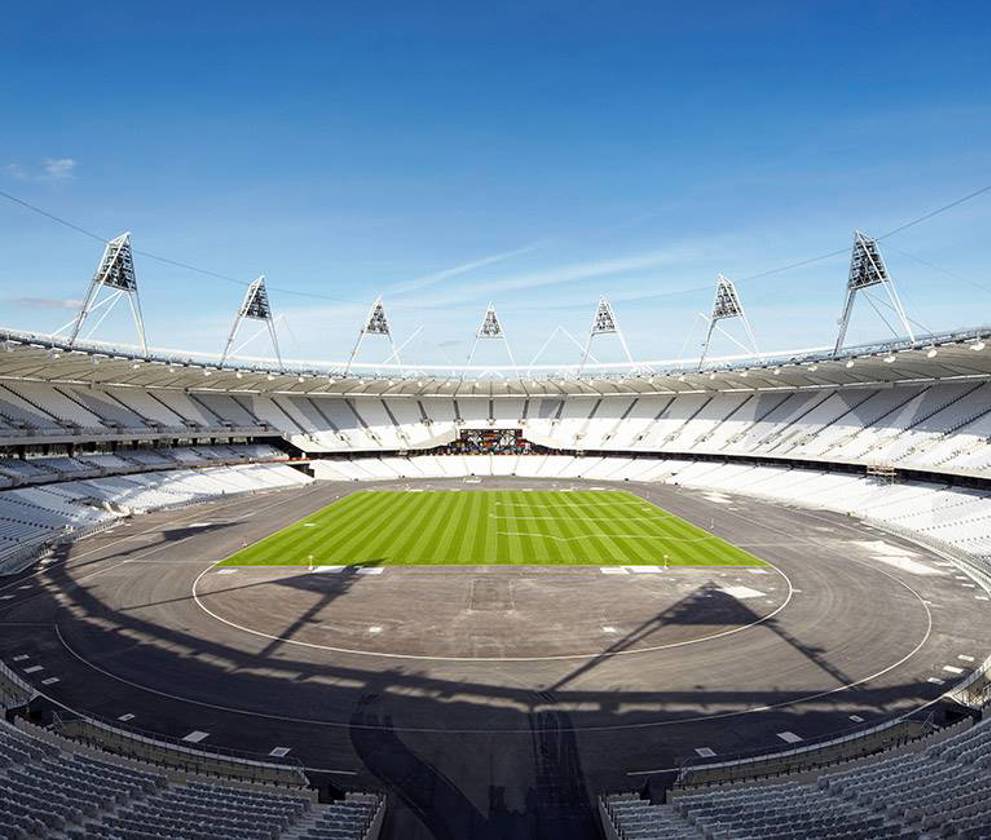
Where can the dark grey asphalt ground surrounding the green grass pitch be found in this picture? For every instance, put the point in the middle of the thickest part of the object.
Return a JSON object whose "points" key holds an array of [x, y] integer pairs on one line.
{"points": [[494, 702]]}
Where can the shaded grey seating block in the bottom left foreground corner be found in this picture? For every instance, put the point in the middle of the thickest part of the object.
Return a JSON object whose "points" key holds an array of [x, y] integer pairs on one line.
{"points": [[55, 789]]}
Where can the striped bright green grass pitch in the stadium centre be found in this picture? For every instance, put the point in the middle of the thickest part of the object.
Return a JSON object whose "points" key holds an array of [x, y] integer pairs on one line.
{"points": [[406, 528]]}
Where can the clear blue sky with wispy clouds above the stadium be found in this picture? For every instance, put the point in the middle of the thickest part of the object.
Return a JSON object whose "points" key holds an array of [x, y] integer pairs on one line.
{"points": [[533, 154]]}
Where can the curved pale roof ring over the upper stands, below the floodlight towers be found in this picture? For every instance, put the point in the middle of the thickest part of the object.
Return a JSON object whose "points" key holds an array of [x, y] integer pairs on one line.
{"points": [[960, 354]]}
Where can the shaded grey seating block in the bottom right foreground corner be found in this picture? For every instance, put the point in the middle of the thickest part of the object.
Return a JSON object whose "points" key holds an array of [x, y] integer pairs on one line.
{"points": [[942, 791]]}
